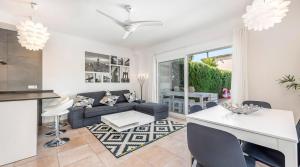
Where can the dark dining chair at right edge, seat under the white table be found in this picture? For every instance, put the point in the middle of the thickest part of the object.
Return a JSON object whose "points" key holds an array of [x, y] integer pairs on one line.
{"points": [[269, 156]]}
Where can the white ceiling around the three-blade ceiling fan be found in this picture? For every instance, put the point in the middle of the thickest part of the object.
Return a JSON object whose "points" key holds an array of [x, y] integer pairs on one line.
{"points": [[78, 17]]}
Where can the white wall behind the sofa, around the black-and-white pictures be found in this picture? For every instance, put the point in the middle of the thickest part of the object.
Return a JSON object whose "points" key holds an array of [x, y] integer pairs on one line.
{"points": [[64, 65]]}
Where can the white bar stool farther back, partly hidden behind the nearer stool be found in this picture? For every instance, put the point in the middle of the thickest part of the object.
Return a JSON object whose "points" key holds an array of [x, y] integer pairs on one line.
{"points": [[56, 102]]}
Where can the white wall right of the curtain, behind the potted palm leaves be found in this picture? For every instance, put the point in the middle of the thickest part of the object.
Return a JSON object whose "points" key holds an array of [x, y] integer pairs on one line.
{"points": [[272, 54]]}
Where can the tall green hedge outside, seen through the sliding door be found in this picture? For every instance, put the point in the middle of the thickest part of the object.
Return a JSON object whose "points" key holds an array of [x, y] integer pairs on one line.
{"points": [[208, 79]]}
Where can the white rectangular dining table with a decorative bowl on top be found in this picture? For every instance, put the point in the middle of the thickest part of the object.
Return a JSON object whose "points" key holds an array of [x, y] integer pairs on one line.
{"points": [[271, 128]]}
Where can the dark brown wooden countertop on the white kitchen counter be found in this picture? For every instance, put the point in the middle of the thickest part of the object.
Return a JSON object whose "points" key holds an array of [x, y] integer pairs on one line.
{"points": [[27, 95]]}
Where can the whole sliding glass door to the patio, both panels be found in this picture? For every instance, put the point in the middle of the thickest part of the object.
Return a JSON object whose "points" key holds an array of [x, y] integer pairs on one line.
{"points": [[188, 83]]}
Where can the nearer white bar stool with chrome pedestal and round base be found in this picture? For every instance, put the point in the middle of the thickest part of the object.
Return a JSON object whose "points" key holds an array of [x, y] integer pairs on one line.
{"points": [[56, 112]]}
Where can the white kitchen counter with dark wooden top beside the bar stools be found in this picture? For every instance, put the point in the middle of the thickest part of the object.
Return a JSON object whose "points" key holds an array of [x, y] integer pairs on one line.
{"points": [[20, 115]]}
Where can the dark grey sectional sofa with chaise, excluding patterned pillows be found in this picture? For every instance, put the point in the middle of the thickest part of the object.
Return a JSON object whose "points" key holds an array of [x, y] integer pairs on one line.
{"points": [[79, 117]]}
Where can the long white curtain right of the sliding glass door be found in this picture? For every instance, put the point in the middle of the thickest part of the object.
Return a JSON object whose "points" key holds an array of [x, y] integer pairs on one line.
{"points": [[239, 83]]}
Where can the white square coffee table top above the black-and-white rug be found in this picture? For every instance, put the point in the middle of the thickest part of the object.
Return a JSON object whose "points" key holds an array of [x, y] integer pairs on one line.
{"points": [[126, 118]]}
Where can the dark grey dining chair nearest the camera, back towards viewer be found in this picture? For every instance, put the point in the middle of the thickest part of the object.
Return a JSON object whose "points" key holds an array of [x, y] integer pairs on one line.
{"points": [[215, 148]]}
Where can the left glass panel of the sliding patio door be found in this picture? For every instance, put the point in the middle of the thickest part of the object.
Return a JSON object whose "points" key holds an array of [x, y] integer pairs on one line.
{"points": [[171, 85]]}
